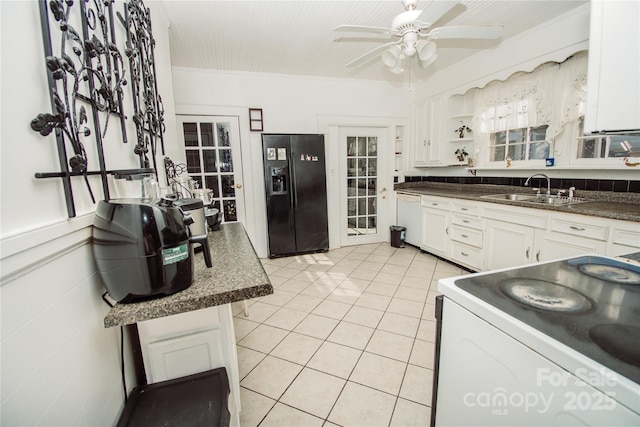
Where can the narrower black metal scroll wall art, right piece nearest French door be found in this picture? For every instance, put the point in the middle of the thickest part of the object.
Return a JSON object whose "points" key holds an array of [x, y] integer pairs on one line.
{"points": [[147, 104]]}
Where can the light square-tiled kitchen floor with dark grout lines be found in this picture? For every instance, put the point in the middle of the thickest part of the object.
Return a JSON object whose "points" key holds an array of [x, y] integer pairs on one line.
{"points": [[347, 338]]}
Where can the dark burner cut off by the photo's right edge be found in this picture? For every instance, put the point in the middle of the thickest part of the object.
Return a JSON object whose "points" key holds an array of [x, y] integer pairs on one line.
{"points": [[620, 341]]}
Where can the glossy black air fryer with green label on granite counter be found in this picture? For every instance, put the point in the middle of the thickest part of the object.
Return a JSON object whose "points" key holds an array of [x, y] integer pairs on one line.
{"points": [[142, 248]]}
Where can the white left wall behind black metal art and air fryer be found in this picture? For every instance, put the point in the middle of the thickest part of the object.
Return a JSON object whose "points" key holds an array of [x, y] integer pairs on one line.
{"points": [[59, 365]]}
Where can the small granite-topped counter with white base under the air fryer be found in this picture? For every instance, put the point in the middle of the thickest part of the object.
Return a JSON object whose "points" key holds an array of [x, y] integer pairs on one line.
{"points": [[192, 331]]}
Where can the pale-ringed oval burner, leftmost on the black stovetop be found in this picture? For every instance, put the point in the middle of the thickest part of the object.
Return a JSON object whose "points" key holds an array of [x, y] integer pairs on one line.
{"points": [[545, 295]]}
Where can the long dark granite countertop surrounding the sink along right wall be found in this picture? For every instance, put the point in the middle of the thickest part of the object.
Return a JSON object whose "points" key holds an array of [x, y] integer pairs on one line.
{"points": [[622, 206]]}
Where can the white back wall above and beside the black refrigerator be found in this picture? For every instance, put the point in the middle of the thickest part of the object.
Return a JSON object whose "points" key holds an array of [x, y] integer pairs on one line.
{"points": [[291, 104]]}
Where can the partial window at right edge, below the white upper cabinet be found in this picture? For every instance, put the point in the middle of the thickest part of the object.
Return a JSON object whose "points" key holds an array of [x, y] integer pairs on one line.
{"points": [[606, 146]]}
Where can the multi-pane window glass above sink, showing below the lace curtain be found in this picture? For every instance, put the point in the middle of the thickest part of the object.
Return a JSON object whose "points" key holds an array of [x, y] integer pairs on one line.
{"points": [[519, 144]]}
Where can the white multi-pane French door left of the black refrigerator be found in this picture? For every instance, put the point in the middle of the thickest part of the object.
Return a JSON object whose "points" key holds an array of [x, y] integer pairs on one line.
{"points": [[212, 151]]}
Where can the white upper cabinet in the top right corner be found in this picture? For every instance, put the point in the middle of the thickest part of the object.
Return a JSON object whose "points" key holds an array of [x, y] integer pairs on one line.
{"points": [[613, 90]]}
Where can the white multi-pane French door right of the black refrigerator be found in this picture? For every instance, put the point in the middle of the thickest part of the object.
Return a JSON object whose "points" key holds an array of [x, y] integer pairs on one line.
{"points": [[364, 187]]}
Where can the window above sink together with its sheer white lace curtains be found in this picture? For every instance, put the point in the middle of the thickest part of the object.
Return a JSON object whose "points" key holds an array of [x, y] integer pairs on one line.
{"points": [[531, 116]]}
